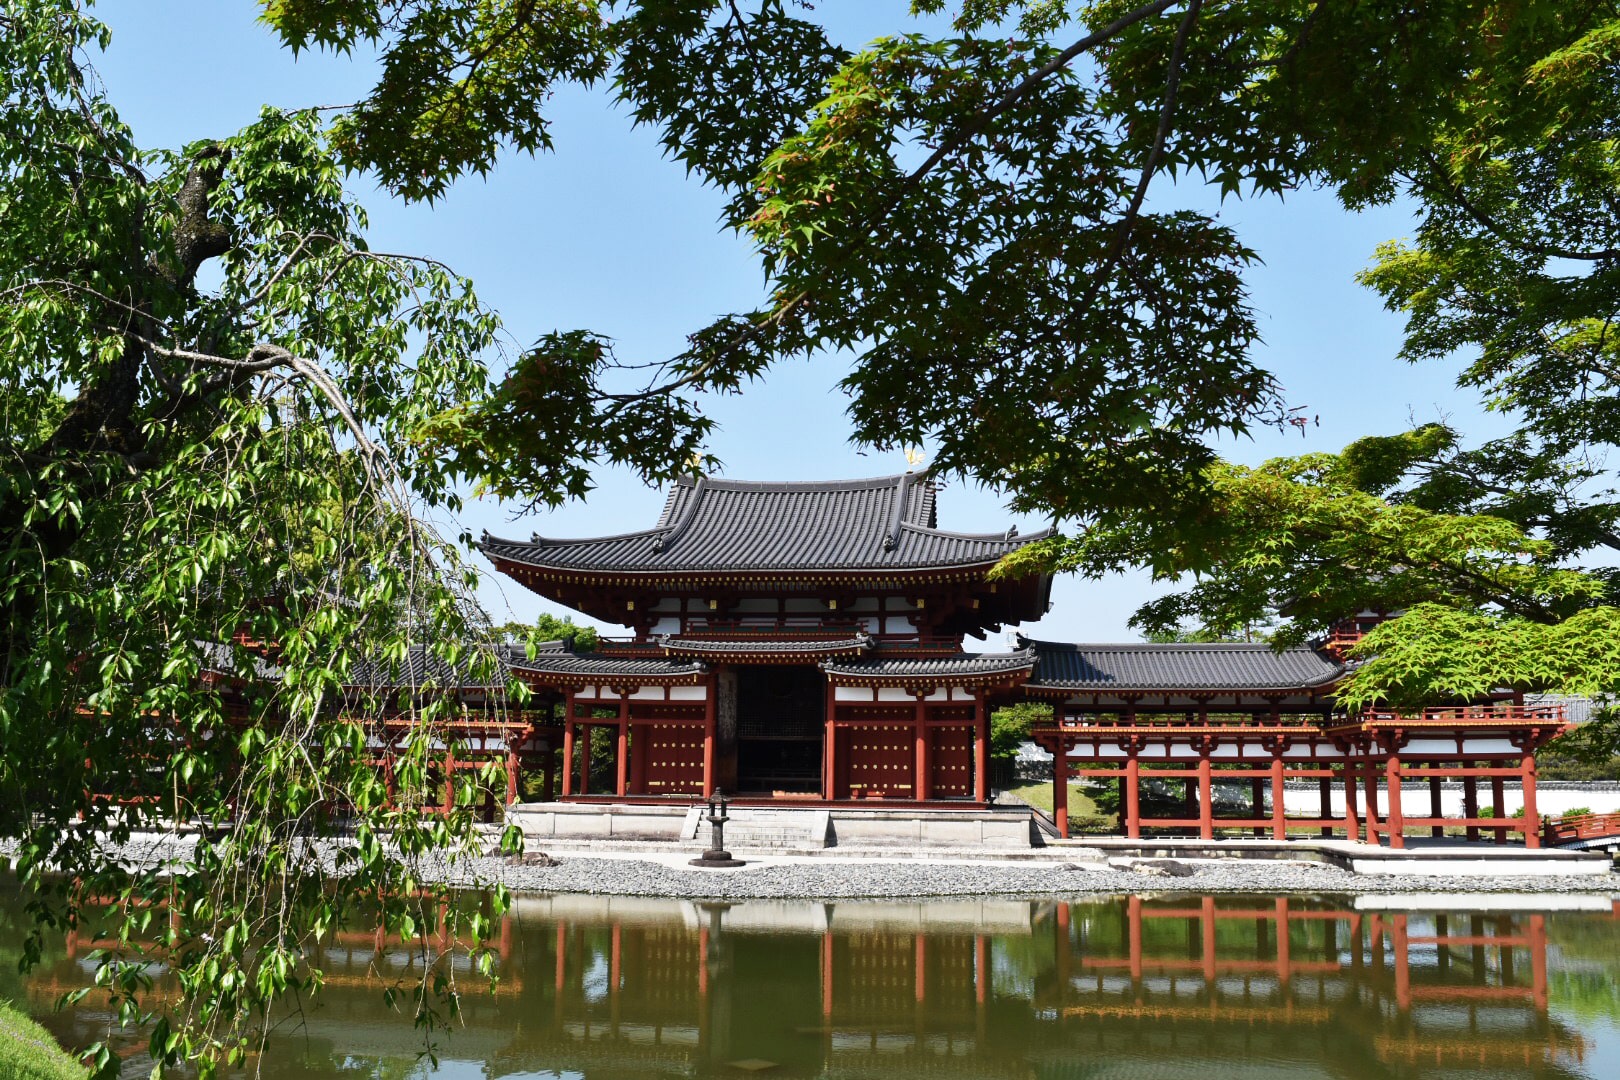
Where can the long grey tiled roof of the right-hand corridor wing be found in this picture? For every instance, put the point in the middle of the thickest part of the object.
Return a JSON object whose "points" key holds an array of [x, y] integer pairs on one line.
{"points": [[1146, 666]]}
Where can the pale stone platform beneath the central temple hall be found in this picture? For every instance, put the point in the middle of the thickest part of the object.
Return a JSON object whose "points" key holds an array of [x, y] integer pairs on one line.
{"points": [[780, 828]]}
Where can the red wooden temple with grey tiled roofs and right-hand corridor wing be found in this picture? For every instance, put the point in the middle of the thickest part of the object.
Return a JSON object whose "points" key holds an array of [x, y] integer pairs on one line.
{"points": [[808, 644]]}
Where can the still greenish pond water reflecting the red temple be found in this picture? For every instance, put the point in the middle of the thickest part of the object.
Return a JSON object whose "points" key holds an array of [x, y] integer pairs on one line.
{"points": [[1127, 987]]}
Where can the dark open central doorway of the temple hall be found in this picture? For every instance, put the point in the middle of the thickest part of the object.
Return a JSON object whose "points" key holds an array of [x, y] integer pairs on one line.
{"points": [[780, 729]]}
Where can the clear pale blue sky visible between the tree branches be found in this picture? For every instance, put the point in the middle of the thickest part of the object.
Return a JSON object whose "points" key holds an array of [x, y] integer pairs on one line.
{"points": [[608, 236]]}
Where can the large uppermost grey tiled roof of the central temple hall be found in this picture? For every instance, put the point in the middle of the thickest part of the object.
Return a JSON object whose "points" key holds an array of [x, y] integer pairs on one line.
{"points": [[885, 524]]}
